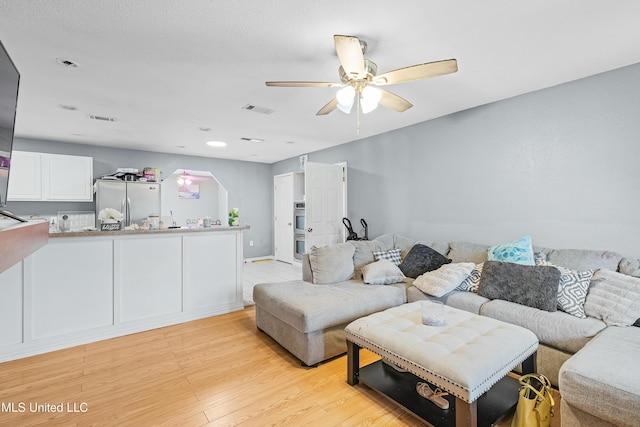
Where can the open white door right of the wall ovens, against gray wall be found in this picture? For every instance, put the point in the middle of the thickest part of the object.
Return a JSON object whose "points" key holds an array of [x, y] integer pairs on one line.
{"points": [[325, 204]]}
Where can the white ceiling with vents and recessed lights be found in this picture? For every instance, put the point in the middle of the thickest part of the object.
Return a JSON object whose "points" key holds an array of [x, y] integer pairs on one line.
{"points": [[165, 68]]}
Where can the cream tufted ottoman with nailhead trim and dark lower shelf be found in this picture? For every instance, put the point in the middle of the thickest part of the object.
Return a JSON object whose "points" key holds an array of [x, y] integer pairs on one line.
{"points": [[466, 357]]}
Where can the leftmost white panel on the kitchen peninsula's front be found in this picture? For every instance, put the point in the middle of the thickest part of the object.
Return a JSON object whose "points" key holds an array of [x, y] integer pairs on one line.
{"points": [[11, 305]]}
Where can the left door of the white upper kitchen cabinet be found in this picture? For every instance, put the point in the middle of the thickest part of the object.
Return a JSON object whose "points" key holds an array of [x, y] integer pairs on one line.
{"points": [[25, 179]]}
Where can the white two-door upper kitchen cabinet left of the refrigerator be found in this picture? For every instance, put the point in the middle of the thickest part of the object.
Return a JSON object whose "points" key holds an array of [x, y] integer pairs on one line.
{"points": [[50, 177]]}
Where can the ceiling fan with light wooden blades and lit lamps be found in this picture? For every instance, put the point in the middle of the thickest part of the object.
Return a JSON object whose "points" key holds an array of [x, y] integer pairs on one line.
{"points": [[359, 81]]}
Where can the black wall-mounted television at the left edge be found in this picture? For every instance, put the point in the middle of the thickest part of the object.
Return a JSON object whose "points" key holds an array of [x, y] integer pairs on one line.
{"points": [[9, 83]]}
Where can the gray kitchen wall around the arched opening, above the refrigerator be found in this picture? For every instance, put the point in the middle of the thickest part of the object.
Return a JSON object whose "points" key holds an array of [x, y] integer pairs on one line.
{"points": [[250, 185]]}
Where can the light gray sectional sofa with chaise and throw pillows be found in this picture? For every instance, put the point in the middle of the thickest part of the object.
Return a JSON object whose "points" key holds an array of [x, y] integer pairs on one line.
{"points": [[589, 348]]}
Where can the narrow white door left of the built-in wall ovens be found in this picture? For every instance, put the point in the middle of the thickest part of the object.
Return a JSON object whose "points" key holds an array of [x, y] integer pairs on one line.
{"points": [[283, 217]]}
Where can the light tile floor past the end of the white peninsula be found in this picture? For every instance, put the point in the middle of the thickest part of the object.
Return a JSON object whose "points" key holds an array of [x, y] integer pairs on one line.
{"points": [[264, 271]]}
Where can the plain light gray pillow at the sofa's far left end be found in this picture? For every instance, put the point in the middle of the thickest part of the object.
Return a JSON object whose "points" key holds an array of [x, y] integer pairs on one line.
{"points": [[331, 264]]}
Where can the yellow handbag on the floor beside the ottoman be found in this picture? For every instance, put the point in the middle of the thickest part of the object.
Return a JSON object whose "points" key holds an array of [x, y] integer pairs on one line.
{"points": [[535, 402]]}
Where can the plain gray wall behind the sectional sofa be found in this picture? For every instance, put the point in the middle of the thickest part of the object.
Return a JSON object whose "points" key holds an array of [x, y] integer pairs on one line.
{"points": [[560, 164]]}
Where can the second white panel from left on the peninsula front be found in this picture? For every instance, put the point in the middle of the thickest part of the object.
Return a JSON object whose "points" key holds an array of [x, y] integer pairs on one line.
{"points": [[71, 287]]}
